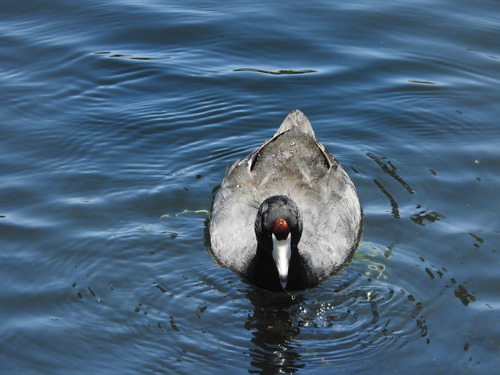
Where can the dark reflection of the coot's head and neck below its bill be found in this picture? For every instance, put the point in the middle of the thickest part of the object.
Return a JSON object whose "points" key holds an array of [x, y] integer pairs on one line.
{"points": [[273, 330]]}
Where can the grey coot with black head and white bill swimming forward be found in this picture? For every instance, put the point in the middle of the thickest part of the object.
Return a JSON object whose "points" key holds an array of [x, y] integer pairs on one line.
{"points": [[287, 215]]}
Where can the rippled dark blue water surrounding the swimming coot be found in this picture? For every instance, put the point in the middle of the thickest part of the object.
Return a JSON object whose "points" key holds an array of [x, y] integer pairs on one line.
{"points": [[117, 121]]}
